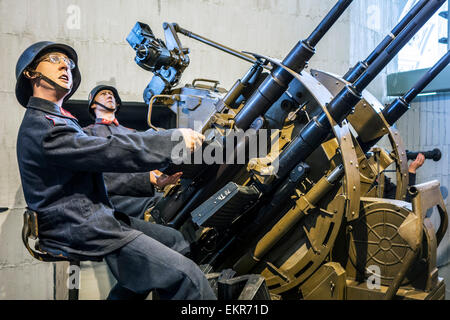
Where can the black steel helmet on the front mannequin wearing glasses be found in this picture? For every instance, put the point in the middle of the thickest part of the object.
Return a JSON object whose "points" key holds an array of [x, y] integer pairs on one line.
{"points": [[23, 85]]}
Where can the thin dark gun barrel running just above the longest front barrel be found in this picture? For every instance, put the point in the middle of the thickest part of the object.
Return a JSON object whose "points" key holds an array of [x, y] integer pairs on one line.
{"points": [[353, 73]]}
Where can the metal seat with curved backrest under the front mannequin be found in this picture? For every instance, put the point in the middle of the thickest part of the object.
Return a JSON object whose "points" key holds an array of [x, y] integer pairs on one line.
{"points": [[30, 231]]}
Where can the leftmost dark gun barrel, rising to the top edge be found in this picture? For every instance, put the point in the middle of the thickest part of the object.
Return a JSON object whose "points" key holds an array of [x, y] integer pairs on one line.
{"points": [[273, 87]]}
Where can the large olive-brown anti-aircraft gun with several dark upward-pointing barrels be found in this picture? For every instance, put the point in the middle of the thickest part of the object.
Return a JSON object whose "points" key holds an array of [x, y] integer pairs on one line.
{"points": [[309, 214]]}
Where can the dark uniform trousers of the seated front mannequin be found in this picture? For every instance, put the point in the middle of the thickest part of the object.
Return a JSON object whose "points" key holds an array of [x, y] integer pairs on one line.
{"points": [[155, 261]]}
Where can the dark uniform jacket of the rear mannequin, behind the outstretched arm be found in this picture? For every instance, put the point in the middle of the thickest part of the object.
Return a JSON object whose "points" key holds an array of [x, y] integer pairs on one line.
{"points": [[130, 193]]}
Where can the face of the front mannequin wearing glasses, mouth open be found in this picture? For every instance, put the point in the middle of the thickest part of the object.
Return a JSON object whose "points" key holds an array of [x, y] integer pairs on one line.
{"points": [[55, 66]]}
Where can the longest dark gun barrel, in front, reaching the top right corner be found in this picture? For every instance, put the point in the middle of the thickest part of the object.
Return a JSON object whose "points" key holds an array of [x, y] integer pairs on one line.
{"points": [[316, 131]]}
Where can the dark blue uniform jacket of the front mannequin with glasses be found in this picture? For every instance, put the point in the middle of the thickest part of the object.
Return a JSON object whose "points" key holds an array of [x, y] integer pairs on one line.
{"points": [[61, 171]]}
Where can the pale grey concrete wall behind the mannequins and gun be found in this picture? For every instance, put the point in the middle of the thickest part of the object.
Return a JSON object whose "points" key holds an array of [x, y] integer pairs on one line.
{"points": [[269, 27]]}
